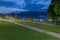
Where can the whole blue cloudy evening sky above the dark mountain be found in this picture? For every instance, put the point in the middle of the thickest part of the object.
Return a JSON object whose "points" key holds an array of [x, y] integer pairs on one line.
{"points": [[7, 6]]}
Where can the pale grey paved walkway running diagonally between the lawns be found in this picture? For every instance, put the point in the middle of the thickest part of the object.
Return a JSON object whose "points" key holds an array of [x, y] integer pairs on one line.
{"points": [[39, 30]]}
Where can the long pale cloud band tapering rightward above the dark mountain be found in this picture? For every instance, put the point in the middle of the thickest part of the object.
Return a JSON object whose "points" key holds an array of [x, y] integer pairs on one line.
{"points": [[5, 10]]}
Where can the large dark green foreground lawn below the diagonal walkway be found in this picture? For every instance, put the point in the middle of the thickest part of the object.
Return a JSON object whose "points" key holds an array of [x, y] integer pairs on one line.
{"points": [[9, 31]]}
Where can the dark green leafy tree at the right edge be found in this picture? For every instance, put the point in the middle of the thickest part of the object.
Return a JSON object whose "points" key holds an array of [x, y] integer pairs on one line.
{"points": [[54, 10]]}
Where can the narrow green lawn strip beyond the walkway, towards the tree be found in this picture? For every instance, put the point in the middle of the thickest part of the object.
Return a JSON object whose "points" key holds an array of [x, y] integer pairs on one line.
{"points": [[53, 28]]}
